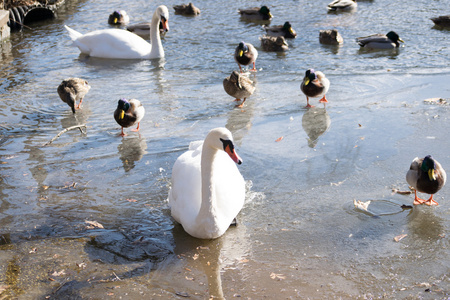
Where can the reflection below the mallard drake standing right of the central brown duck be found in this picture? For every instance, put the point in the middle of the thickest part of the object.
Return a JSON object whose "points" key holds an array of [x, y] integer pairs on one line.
{"points": [[315, 122]]}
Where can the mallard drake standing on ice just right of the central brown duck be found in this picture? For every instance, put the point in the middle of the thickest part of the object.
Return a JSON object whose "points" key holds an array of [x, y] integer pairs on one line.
{"points": [[315, 85]]}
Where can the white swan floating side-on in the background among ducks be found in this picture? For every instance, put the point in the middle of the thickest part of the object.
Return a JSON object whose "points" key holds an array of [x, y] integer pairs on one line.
{"points": [[122, 44]]}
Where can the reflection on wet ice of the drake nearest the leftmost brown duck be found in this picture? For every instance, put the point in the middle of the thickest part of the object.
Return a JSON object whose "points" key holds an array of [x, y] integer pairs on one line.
{"points": [[131, 150]]}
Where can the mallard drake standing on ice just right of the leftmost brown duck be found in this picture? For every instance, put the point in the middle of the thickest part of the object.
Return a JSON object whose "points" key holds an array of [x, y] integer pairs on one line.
{"points": [[129, 113]]}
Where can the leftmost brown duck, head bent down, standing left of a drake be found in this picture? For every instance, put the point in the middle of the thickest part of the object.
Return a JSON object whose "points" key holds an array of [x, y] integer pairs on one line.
{"points": [[73, 89]]}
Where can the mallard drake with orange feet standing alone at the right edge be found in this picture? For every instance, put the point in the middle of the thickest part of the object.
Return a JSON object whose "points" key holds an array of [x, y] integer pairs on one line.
{"points": [[426, 175]]}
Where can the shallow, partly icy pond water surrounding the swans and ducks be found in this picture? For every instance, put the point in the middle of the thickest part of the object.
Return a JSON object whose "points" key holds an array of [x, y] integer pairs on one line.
{"points": [[299, 235]]}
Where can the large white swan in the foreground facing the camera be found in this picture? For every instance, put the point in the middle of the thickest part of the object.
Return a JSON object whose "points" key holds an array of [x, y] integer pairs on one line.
{"points": [[208, 191]]}
